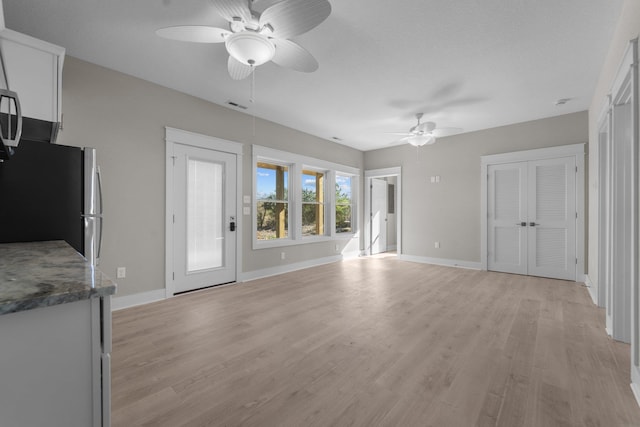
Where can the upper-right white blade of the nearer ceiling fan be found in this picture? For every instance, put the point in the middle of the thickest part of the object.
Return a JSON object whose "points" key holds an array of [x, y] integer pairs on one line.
{"points": [[290, 18]]}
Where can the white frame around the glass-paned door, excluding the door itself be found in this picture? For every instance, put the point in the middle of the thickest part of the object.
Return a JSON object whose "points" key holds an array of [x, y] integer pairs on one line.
{"points": [[178, 136]]}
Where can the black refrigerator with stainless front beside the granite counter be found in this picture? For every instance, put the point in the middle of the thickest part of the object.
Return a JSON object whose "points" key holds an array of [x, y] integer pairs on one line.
{"points": [[52, 192]]}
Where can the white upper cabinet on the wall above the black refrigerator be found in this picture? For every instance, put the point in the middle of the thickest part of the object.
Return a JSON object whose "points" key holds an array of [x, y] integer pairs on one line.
{"points": [[34, 71]]}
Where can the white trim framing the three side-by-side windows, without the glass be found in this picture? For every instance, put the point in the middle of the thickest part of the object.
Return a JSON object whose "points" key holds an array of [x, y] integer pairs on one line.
{"points": [[297, 163]]}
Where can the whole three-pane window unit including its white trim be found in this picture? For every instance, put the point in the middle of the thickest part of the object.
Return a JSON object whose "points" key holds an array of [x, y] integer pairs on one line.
{"points": [[299, 199]]}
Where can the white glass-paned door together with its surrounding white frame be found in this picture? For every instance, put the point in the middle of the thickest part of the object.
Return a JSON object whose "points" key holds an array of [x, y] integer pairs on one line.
{"points": [[202, 206]]}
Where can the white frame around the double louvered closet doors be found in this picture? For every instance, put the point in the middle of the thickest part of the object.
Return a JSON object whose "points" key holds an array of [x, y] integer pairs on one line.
{"points": [[576, 150]]}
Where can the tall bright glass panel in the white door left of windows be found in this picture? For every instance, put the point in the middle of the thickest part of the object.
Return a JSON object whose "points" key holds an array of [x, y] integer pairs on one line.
{"points": [[205, 222]]}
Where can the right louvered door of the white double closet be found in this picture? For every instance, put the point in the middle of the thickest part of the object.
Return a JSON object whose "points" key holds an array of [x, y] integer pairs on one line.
{"points": [[552, 218]]}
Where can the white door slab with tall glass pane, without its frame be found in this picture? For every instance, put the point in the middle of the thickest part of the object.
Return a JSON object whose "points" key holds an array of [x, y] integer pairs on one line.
{"points": [[204, 188]]}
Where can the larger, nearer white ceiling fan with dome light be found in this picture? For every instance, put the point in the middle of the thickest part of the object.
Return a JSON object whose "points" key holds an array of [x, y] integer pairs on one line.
{"points": [[255, 38]]}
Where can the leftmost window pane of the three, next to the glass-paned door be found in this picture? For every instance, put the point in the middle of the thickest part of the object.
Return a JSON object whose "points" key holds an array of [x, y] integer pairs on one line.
{"points": [[272, 195]]}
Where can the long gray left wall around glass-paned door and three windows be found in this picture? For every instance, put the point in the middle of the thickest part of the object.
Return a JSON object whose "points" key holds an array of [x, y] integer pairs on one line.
{"points": [[124, 118]]}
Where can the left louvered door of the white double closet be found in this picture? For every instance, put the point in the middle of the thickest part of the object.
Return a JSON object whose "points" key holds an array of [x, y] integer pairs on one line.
{"points": [[507, 218]]}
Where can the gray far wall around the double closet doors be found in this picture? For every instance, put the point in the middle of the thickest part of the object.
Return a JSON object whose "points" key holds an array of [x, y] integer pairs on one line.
{"points": [[449, 212]]}
